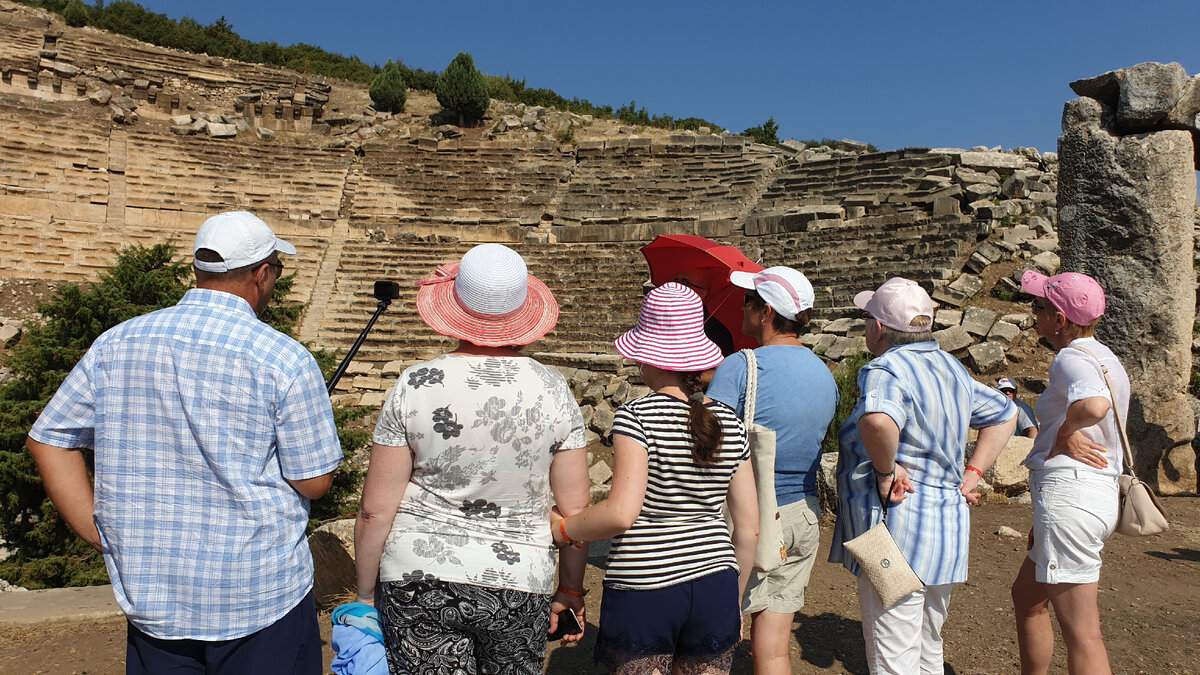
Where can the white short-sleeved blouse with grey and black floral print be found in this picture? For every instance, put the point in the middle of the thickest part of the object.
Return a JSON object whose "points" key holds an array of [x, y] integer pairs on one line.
{"points": [[483, 432]]}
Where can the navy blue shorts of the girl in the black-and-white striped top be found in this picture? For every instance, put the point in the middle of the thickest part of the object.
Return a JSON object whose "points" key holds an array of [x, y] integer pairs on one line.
{"points": [[689, 625]]}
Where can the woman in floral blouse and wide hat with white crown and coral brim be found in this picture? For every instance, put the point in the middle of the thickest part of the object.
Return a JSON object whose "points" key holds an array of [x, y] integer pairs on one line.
{"points": [[470, 452]]}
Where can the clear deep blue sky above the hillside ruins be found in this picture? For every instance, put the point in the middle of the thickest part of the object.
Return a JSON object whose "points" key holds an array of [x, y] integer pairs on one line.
{"points": [[892, 74]]}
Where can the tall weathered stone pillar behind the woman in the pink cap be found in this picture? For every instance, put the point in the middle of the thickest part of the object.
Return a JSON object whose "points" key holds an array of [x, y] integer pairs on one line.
{"points": [[1126, 213]]}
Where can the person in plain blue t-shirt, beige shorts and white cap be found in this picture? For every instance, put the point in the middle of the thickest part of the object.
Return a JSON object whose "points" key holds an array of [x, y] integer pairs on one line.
{"points": [[796, 398]]}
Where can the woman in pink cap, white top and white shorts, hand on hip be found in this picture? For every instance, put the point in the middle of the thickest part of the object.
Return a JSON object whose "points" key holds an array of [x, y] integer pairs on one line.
{"points": [[1073, 477]]}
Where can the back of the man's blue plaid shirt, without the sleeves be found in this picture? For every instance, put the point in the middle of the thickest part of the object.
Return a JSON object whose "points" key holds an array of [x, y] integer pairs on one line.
{"points": [[188, 477]]}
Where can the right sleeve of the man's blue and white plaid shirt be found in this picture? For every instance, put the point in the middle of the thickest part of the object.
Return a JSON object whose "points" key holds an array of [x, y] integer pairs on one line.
{"points": [[305, 431]]}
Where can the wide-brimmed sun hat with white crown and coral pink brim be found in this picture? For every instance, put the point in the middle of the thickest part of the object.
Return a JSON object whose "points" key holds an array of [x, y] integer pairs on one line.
{"points": [[489, 300]]}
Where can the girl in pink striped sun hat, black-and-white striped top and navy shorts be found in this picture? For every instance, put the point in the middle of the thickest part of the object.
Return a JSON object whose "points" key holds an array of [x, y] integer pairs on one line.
{"points": [[675, 576]]}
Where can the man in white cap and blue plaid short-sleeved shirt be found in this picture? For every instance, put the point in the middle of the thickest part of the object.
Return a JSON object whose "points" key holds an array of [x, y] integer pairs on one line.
{"points": [[212, 433]]}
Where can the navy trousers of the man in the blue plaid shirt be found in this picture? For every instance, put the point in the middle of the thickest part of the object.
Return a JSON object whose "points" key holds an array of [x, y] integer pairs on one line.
{"points": [[291, 646]]}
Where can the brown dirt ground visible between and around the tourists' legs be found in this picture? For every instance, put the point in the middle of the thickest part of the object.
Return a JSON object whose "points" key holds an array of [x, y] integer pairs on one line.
{"points": [[1150, 594]]}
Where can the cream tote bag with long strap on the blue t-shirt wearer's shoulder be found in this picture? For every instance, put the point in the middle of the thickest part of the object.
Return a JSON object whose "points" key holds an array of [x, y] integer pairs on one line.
{"points": [[771, 552]]}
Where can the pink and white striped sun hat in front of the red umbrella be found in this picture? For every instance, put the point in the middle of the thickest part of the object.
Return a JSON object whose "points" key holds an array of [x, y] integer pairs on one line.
{"points": [[670, 332]]}
